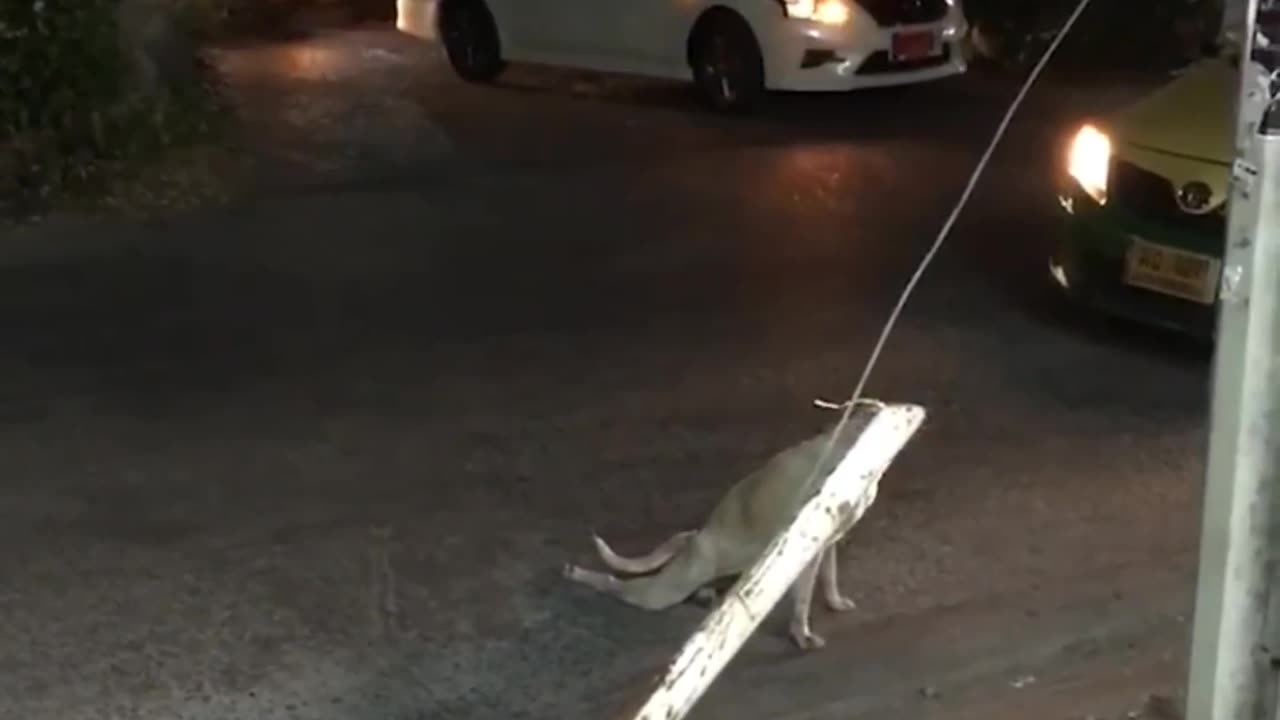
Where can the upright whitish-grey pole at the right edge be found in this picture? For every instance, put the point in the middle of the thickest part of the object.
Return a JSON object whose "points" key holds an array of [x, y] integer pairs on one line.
{"points": [[1235, 654]]}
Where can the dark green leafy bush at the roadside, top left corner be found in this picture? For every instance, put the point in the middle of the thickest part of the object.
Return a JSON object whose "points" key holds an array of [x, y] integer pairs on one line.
{"points": [[76, 106]]}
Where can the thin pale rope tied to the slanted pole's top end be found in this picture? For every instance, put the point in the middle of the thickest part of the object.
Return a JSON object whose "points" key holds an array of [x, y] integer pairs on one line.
{"points": [[938, 244]]}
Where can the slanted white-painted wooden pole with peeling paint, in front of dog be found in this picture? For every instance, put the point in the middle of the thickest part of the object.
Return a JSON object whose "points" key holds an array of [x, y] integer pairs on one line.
{"points": [[845, 496]]}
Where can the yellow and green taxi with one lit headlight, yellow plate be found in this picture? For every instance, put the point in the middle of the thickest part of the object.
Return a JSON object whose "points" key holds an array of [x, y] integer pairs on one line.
{"points": [[1144, 198]]}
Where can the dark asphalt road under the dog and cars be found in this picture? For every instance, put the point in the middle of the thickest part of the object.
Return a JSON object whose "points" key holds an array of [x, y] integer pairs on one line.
{"points": [[322, 454]]}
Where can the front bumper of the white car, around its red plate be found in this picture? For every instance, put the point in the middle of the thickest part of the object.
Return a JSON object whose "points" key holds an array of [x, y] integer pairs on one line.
{"points": [[815, 58]]}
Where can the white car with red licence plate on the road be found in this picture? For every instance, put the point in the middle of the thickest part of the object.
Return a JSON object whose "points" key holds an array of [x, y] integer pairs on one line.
{"points": [[734, 51]]}
